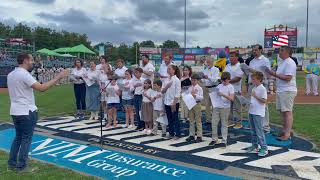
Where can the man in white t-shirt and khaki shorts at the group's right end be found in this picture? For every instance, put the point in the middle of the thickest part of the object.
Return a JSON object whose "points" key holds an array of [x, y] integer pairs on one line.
{"points": [[286, 90]]}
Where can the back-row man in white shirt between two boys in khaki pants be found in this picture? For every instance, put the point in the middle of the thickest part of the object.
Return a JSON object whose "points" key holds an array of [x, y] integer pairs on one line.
{"points": [[211, 76]]}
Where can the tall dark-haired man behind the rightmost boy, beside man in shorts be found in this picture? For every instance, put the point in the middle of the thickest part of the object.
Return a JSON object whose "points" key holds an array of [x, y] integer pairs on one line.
{"points": [[260, 63]]}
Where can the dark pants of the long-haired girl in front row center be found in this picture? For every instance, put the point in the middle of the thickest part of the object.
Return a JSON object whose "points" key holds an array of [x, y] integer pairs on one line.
{"points": [[173, 121]]}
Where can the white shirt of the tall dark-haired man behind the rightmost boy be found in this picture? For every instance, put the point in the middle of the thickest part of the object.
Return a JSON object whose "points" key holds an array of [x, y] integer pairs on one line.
{"points": [[258, 64]]}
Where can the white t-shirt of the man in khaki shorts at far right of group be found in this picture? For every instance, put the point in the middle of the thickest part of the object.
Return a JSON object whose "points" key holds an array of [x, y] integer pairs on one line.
{"points": [[287, 67]]}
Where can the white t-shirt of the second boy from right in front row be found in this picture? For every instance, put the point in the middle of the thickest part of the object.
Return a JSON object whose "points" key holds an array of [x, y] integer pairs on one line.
{"points": [[222, 102]]}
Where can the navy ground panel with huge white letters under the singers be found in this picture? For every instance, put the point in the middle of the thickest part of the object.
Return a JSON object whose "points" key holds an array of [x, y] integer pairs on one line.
{"points": [[293, 159]]}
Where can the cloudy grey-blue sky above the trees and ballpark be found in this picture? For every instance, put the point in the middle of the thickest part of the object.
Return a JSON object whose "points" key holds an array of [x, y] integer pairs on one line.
{"points": [[214, 23]]}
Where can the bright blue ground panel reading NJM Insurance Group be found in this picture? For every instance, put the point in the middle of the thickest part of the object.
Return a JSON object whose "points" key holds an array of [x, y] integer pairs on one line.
{"points": [[104, 163]]}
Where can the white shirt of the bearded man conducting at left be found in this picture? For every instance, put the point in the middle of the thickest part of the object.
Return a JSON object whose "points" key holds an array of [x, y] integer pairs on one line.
{"points": [[20, 92]]}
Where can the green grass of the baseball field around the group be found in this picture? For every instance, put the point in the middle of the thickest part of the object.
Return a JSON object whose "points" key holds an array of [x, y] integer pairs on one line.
{"points": [[60, 101]]}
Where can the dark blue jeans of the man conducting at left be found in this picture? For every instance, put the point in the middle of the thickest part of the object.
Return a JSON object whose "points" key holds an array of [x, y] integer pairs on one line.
{"points": [[24, 126]]}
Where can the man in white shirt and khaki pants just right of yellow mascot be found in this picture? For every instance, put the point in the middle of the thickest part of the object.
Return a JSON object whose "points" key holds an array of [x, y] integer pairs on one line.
{"points": [[236, 78]]}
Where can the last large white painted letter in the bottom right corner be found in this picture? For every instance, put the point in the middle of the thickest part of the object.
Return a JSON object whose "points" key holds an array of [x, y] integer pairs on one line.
{"points": [[303, 168]]}
